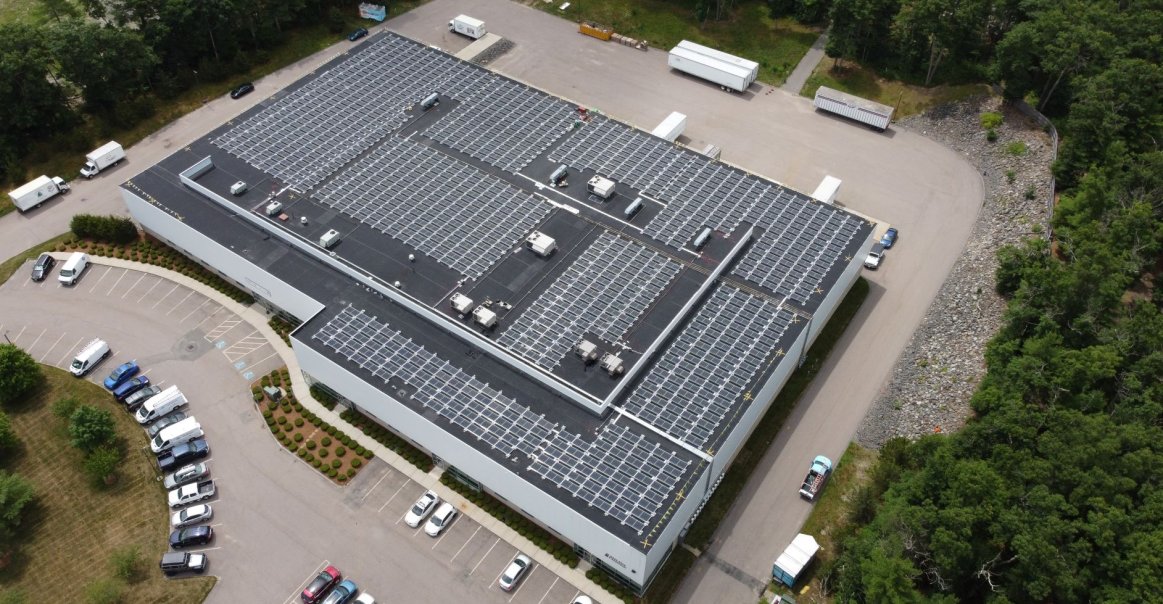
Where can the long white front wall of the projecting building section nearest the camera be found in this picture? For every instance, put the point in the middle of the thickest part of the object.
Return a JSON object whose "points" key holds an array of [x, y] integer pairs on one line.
{"points": [[498, 479]]}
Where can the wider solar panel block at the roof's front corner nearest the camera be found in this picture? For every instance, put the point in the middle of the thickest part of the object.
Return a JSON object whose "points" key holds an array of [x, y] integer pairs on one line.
{"points": [[622, 473]]}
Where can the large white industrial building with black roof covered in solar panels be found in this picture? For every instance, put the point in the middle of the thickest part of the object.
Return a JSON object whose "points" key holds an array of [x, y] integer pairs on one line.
{"points": [[591, 351]]}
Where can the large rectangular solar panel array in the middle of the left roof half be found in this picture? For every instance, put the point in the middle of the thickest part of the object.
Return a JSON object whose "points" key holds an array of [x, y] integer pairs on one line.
{"points": [[448, 210]]}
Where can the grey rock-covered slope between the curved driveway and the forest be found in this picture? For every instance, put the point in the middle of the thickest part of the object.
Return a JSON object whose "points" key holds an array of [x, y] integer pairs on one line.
{"points": [[940, 369]]}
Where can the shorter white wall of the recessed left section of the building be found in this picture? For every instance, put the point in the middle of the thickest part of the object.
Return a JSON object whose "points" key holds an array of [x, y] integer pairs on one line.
{"points": [[225, 261]]}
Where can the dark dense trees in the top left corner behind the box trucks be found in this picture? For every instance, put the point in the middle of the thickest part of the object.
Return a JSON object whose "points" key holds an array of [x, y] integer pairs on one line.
{"points": [[118, 61]]}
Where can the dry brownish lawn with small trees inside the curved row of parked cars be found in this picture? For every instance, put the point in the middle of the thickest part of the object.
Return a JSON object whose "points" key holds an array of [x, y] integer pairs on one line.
{"points": [[75, 527]]}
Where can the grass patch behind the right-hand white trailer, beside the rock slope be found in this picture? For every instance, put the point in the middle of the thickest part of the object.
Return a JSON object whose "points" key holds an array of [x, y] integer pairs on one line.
{"points": [[862, 82]]}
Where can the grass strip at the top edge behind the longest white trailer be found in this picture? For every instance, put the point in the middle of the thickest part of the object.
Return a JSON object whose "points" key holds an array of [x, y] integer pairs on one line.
{"points": [[776, 45]]}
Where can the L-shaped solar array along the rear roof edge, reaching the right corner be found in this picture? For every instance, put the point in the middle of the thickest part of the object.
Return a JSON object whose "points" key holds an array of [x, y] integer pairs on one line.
{"points": [[802, 237]]}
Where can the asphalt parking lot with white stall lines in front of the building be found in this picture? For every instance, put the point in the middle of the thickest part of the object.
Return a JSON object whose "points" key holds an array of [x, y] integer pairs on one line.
{"points": [[277, 522]]}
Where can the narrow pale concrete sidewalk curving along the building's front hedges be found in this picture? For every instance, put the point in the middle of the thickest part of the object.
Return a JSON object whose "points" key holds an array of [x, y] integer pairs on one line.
{"points": [[258, 318]]}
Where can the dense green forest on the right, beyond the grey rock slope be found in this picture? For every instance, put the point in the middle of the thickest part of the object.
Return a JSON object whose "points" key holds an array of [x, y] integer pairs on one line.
{"points": [[1052, 493]]}
